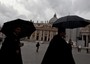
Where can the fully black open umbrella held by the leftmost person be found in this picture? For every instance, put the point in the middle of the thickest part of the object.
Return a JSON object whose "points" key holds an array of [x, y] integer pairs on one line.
{"points": [[26, 26]]}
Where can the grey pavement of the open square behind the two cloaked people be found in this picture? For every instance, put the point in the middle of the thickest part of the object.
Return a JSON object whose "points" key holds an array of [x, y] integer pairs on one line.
{"points": [[30, 56]]}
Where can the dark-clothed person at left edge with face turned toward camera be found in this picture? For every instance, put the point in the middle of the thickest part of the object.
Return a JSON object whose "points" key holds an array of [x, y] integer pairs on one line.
{"points": [[10, 52]]}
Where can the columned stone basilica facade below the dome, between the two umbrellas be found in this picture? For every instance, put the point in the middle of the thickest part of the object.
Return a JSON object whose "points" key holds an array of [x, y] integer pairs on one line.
{"points": [[43, 33]]}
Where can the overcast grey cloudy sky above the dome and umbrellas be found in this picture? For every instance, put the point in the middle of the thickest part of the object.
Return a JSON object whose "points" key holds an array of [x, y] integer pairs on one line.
{"points": [[42, 10]]}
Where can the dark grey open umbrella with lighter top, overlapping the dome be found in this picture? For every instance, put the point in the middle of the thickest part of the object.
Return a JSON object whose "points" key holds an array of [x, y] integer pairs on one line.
{"points": [[72, 21]]}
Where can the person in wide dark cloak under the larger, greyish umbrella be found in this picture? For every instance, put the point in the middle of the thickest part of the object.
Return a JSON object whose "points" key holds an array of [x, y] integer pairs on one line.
{"points": [[58, 50]]}
